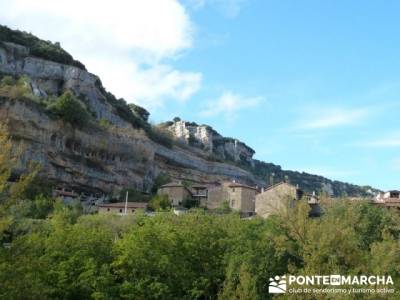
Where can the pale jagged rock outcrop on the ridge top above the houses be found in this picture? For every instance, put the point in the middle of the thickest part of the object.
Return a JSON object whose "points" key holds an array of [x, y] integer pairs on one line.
{"points": [[206, 138]]}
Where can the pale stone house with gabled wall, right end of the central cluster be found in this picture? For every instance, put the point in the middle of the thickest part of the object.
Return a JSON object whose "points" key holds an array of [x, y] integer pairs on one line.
{"points": [[280, 197]]}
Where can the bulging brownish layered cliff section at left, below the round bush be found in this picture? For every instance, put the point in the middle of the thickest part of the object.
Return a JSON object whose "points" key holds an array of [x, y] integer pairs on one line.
{"points": [[83, 159]]}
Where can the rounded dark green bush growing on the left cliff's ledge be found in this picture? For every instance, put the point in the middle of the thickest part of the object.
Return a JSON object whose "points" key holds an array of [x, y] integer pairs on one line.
{"points": [[70, 110]]}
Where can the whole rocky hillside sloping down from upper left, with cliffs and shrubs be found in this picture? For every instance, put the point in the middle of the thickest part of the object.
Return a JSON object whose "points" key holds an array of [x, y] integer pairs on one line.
{"points": [[87, 139]]}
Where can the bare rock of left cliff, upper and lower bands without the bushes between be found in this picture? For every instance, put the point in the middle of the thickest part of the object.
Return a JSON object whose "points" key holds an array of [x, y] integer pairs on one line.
{"points": [[92, 158]]}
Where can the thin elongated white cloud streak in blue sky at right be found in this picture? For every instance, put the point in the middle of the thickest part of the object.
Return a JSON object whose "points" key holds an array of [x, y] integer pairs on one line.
{"points": [[332, 117]]}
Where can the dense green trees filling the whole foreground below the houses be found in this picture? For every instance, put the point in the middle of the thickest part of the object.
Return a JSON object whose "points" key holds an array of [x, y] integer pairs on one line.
{"points": [[50, 250]]}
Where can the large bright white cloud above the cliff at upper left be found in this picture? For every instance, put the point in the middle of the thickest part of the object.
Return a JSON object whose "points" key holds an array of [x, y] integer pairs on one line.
{"points": [[125, 42]]}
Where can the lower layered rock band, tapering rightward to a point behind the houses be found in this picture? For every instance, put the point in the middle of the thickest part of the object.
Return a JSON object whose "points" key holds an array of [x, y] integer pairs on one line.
{"points": [[104, 160]]}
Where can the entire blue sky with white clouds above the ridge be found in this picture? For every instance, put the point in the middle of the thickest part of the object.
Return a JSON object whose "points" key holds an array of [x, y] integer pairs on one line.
{"points": [[312, 86]]}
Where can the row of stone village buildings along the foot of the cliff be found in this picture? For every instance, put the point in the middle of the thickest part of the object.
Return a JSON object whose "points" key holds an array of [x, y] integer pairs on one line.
{"points": [[248, 201]]}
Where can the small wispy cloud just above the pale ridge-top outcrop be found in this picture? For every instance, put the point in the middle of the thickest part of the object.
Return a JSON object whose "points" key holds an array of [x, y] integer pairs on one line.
{"points": [[228, 104]]}
